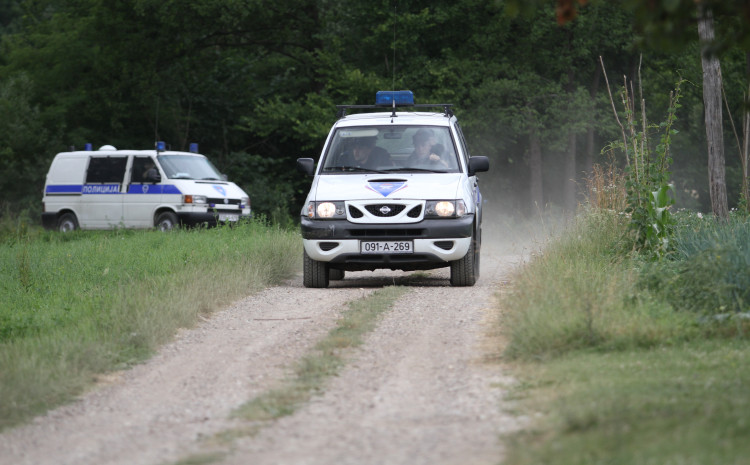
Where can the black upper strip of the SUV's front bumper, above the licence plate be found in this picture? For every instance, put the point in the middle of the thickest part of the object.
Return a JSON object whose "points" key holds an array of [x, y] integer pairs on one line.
{"points": [[425, 229]]}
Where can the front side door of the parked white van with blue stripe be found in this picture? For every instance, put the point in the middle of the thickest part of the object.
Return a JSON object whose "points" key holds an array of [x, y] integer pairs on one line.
{"points": [[143, 192]]}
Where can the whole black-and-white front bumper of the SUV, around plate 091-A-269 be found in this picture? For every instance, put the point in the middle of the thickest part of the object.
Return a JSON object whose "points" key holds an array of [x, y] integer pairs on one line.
{"points": [[436, 243]]}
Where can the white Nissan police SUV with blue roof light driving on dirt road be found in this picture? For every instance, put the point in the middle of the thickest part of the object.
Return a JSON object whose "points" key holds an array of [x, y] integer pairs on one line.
{"points": [[393, 190]]}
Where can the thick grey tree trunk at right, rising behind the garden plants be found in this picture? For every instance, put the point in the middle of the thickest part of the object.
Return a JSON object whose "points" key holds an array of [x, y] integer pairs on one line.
{"points": [[713, 113]]}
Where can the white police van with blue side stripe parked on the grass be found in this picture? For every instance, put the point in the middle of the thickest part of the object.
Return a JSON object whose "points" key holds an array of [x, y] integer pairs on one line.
{"points": [[160, 188]]}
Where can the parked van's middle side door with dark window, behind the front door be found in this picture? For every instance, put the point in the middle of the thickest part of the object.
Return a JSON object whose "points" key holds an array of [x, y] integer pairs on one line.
{"points": [[101, 196]]}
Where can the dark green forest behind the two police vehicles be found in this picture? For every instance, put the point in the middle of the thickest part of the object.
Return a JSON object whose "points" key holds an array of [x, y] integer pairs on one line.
{"points": [[255, 83]]}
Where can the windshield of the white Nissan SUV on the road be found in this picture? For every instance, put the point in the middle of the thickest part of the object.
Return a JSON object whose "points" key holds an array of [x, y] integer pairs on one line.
{"points": [[391, 149]]}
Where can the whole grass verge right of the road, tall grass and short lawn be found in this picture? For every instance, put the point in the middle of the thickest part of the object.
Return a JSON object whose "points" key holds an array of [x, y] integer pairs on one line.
{"points": [[613, 367]]}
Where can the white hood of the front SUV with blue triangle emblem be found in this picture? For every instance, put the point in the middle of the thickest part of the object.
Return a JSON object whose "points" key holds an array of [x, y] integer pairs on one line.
{"points": [[425, 186]]}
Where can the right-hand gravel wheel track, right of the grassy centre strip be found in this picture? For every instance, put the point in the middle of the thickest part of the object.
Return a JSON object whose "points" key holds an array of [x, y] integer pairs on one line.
{"points": [[417, 392]]}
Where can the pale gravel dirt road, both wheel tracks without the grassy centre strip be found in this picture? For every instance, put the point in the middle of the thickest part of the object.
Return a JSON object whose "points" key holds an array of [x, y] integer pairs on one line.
{"points": [[418, 391]]}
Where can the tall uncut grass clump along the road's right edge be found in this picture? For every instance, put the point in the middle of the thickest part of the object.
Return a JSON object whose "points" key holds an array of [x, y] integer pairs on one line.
{"points": [[581, 293]]}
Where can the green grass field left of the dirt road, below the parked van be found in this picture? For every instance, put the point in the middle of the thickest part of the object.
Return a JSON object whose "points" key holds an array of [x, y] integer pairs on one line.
{"points": [[81, 304]]}
